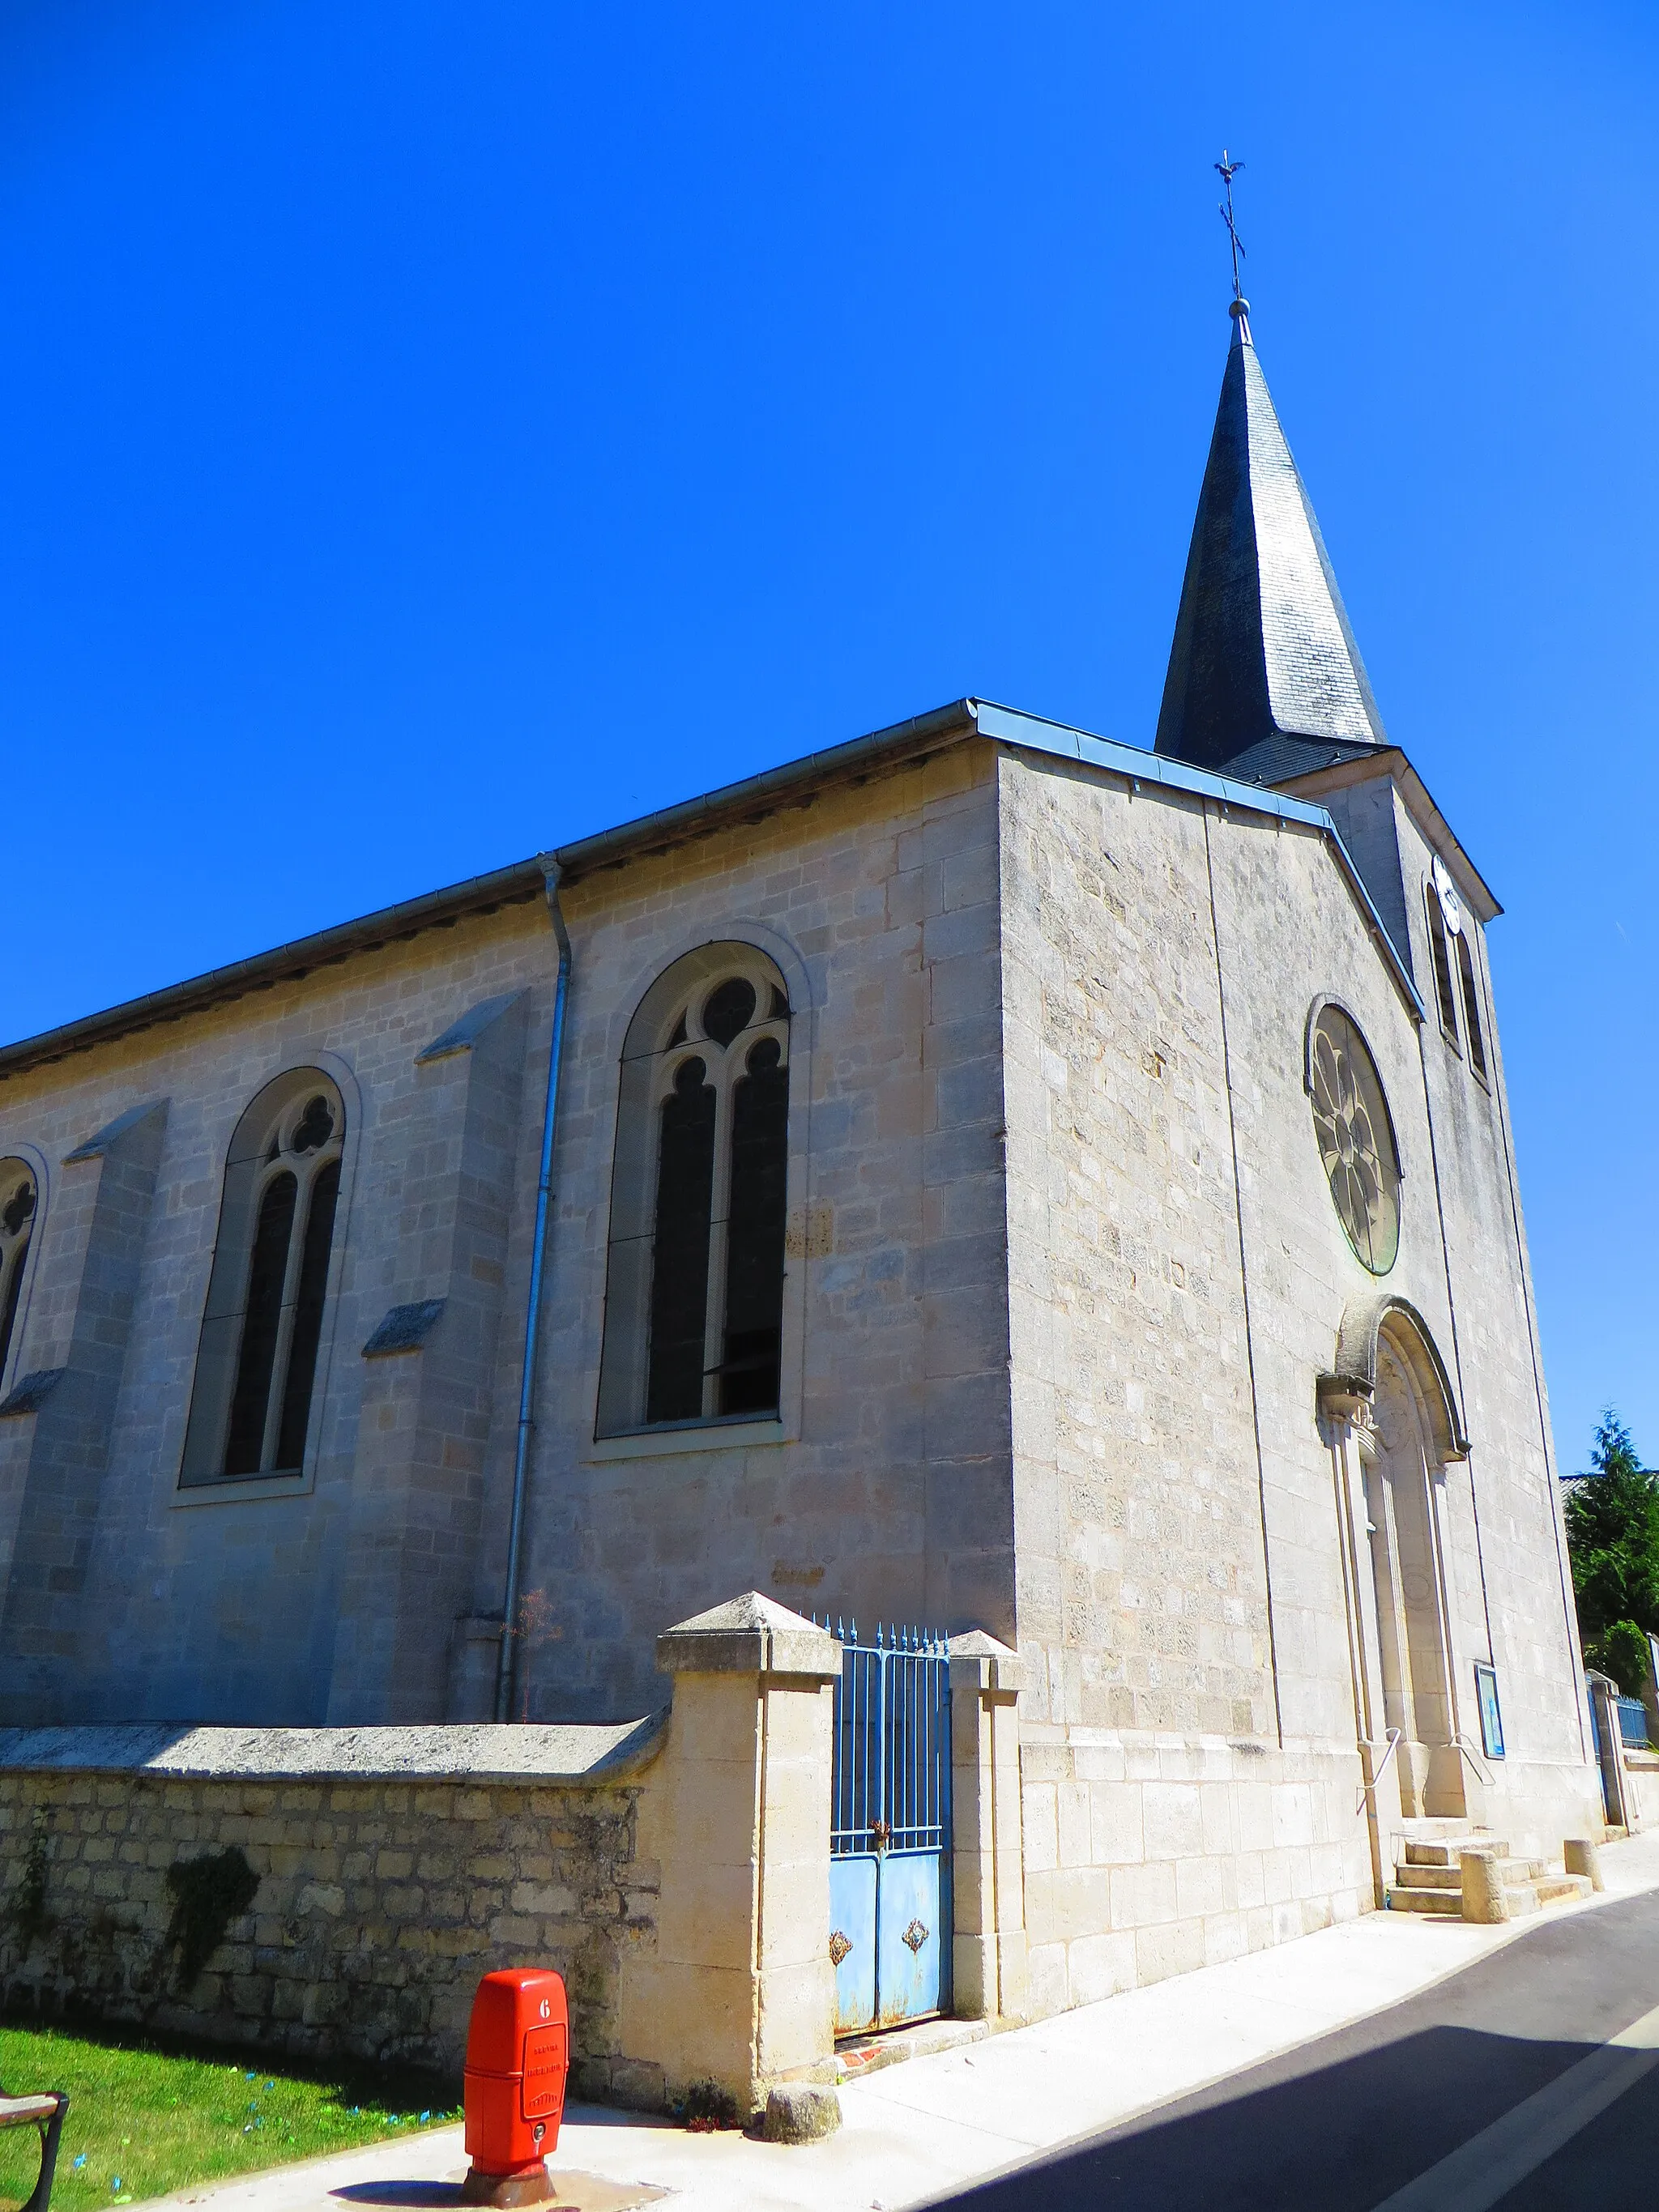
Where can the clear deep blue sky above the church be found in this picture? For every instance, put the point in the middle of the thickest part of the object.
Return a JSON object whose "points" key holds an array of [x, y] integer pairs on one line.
{"points": [[432, 432]]}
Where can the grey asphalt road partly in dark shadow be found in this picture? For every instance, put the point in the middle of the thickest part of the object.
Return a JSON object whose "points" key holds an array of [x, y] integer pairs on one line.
{"points": [[1459, 2100]]}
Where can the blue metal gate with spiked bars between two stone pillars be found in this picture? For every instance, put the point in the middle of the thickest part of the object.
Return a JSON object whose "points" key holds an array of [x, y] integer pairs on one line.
{"points": [[890, 1830]]}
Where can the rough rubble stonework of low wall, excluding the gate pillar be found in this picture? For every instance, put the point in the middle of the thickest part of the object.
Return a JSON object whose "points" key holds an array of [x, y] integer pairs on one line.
{"points": [[384, 1897]]}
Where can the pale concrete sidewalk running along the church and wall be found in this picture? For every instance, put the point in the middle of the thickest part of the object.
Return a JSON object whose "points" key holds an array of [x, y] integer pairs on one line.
{"points": [[935, 2125]]}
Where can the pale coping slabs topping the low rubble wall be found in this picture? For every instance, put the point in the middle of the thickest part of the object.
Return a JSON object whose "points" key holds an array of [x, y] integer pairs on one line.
{"points": [[483, 1753]]}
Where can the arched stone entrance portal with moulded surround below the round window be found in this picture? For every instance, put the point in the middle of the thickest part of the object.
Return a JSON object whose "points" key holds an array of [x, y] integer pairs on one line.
{"points": [[1397, 1430]]}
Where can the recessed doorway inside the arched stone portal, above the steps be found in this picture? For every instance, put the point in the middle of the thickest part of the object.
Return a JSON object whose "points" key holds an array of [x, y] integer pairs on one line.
{"points": [[1412, 1614]]}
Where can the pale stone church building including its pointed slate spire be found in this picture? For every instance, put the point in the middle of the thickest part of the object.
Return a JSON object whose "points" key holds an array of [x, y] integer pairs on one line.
{"points": [[997, 1178]]}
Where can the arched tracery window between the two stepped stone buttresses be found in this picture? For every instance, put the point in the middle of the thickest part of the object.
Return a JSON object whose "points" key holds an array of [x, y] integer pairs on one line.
{"points": [[264, 1324]]}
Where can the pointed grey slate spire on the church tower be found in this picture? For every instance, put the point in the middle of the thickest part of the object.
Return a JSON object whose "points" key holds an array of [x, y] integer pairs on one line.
{"points": [[1266, 680]]}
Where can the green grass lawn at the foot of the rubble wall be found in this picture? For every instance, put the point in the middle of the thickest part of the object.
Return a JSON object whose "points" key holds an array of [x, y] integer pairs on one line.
{"points": [[145, 2120]]}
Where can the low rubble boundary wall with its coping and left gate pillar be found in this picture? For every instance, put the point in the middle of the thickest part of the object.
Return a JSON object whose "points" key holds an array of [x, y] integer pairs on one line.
{"points": [[674, 1870]]}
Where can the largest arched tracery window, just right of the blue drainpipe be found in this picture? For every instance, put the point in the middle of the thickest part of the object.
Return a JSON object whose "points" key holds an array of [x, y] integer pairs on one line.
{"points": [[696, 1266]]}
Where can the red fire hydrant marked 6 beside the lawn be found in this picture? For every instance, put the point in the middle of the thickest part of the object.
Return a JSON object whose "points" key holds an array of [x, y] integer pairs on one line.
{"points": [[519, 2054]]}
